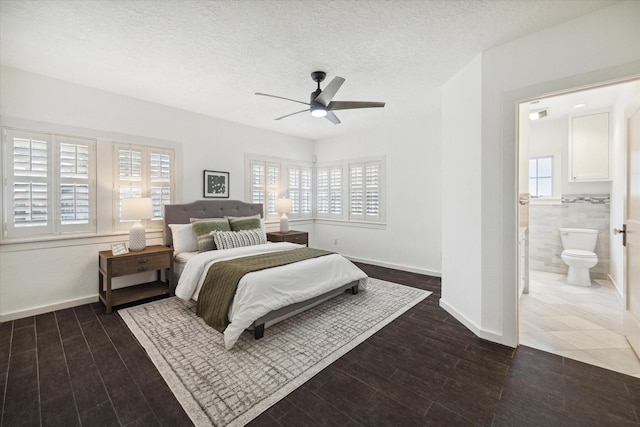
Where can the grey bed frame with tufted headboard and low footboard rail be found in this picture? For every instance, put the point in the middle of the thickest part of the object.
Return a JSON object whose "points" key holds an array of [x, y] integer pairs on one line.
{"points": [[182, 214]]}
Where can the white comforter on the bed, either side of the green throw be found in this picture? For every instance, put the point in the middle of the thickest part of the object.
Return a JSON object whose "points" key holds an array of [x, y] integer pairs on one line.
{"points": [[263, 291]]}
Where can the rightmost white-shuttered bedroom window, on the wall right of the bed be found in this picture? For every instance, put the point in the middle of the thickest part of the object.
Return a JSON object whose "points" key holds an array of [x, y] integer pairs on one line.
{"points": [[365, 191]]}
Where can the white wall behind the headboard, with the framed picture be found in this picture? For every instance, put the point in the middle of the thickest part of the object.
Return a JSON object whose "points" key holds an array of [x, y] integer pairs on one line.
{"points": [[40, 277]]}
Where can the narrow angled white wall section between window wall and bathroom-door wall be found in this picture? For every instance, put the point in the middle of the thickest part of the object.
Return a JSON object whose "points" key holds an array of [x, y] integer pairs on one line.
{"points": [[461, 196]]}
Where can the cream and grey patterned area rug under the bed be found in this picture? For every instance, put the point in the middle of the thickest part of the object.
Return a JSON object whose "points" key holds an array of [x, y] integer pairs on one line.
{"points": [[223, 387]]}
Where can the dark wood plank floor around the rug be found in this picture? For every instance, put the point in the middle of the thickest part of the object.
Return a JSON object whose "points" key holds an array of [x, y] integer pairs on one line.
{"points": [[82, 367]]}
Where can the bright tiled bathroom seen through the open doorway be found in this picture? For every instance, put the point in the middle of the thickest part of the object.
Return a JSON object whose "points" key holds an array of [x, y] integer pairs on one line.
{"points": [[570, 319]]}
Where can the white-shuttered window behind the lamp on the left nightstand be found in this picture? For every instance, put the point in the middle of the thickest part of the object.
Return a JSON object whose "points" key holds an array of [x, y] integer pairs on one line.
{"points": [[143, 171]]}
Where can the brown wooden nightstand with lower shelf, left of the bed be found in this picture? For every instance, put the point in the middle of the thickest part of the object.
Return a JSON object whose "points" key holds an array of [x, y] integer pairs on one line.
{"points": [[150, 258]]}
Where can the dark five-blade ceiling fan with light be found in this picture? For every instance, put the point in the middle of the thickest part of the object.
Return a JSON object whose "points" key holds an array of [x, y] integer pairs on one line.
{"points": [[322, 104]]}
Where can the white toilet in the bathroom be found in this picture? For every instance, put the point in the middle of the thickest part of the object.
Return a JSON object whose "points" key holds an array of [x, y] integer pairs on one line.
{"points": [[579, 245]]}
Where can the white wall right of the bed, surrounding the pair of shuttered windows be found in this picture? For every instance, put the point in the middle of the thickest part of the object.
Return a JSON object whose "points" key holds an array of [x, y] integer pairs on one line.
{"points": [[411, 238]]}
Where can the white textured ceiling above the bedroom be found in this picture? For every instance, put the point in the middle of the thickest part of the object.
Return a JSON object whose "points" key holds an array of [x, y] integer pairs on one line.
{"points": [[210, 57]]}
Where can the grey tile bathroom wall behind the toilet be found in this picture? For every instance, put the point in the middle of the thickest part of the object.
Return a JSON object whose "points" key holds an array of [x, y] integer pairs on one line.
{"points": [[576, 211]]}
